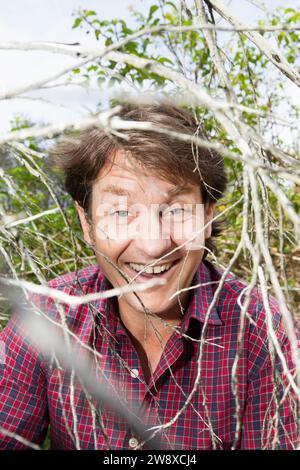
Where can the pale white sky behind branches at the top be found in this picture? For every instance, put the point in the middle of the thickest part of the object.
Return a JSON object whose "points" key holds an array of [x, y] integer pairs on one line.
{"points": [[44, 20]]}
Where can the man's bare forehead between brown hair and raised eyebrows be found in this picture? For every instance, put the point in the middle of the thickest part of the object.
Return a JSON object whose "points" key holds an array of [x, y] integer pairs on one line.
{"points": [[127, 174]]}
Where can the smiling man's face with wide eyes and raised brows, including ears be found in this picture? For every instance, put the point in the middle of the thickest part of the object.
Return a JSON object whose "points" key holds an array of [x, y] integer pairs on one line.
{"points": [[150, 229]]}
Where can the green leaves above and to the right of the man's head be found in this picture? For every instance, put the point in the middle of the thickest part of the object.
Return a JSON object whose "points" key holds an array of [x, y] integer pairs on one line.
{"points": [[187, 52]]}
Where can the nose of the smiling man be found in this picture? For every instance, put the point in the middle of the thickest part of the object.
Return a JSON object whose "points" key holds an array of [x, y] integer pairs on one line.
{"points": [[153, 238]]}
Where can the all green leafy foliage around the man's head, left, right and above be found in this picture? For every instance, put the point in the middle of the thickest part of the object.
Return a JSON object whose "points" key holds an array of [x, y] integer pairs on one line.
{"points": [[49, 240]]}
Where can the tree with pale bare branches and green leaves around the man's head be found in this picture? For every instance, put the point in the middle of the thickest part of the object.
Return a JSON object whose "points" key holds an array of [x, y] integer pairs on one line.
{"points": [[235, 88]]}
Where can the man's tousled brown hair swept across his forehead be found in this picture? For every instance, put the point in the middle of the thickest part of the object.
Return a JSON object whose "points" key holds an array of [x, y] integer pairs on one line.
{"points": [[175, 160]]}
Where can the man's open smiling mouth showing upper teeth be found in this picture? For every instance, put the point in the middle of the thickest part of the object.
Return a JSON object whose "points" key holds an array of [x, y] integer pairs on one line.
{"points": [[163, 271]]}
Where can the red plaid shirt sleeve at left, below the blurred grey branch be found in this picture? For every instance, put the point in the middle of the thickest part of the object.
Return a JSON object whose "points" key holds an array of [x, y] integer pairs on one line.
{"points": [[23, 393]]}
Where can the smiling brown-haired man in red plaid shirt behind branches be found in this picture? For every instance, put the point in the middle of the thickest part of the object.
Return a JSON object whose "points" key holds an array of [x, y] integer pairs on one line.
{"points": [[182, 355]]}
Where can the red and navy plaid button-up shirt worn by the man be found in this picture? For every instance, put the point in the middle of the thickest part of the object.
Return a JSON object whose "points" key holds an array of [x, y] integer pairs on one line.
{"points": [[35, 392]]}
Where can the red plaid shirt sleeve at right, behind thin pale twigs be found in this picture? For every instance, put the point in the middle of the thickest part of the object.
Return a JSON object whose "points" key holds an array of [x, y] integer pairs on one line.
{"points": [[271, 415]]}
